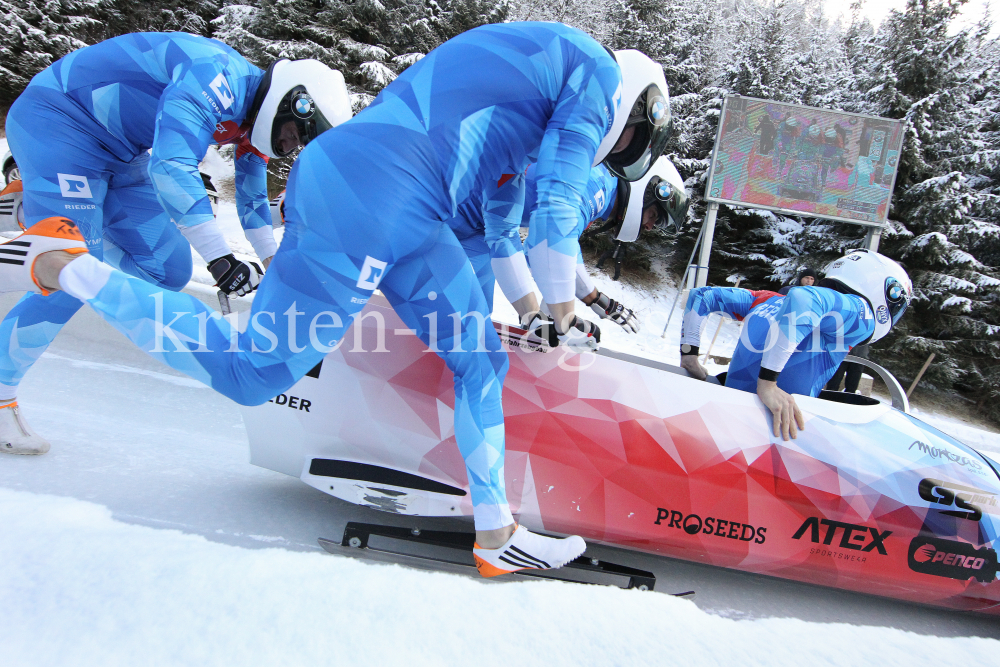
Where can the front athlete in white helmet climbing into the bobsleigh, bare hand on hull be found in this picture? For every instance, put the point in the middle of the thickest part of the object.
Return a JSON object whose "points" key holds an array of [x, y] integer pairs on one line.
{"points": [[793, 344]]}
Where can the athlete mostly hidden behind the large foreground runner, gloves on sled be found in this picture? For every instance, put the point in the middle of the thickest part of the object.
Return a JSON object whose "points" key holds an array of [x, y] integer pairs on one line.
{"points": [[488, 227]]}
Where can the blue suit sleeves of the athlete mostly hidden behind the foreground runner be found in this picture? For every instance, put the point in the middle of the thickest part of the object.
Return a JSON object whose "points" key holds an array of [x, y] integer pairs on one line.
{"points": [[488, 228]]}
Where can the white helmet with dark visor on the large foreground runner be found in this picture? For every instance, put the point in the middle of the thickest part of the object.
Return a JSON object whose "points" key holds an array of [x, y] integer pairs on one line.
{"points": [[644, 104]]}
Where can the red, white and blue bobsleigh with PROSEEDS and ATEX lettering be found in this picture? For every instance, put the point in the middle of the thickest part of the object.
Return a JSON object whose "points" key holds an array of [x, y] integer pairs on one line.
{"points": [[634, 454]]}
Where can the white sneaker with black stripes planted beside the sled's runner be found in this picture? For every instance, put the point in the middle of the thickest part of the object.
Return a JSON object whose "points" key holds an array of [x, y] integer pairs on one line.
{"points": [[526, 550]]}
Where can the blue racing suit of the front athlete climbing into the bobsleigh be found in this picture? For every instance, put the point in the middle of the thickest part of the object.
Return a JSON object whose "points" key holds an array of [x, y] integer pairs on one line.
{"points": [[803, 336]]}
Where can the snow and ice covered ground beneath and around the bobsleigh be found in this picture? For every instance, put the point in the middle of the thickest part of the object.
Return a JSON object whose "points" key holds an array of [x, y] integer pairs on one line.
{"points": [[145, 537]]}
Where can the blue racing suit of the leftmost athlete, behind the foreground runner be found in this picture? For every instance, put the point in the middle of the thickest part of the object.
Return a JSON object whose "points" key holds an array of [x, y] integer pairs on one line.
{"points": [[82, 132]]}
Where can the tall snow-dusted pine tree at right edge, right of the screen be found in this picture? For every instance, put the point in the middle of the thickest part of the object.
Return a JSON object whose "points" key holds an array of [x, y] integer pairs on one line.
{"points": [[946, 232]]}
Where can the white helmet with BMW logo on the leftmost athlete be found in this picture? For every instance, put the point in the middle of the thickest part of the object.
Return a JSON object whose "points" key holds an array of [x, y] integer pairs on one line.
{"points": [[305, 92]]}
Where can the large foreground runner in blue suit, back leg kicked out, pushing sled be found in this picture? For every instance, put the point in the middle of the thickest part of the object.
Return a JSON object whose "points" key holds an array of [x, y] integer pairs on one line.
{"points": [[490, 101]]}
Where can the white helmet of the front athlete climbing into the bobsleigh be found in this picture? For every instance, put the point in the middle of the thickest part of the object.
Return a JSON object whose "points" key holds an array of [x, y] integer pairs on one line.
{"points": [[880, 281]]}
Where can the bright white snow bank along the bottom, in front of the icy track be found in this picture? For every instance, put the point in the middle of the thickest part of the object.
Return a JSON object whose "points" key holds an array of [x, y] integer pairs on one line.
{"points": [[79, 588]]}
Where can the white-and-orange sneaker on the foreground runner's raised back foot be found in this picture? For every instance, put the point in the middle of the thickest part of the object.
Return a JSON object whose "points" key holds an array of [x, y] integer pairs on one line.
{"points": [[17, 256]]}
